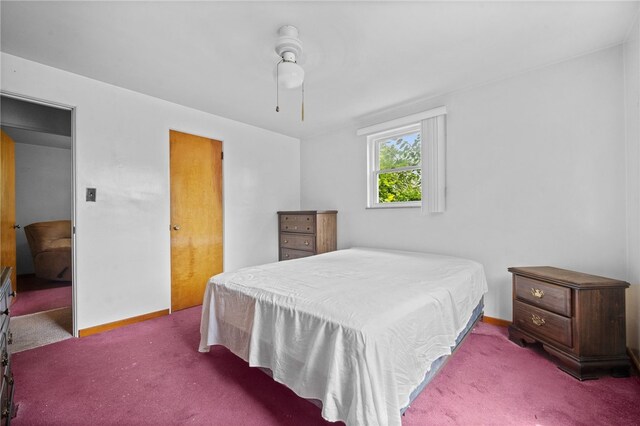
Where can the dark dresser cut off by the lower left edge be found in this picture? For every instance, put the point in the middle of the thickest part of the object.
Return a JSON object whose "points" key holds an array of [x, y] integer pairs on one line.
{"points": [[6, 396]]}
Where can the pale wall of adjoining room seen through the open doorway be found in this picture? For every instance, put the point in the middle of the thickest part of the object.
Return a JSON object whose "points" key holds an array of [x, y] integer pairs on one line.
{"points": [[43, 192]]}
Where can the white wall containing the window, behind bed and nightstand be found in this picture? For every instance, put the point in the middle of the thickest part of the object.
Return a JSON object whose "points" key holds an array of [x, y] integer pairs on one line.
{"points": [[535, 176]]}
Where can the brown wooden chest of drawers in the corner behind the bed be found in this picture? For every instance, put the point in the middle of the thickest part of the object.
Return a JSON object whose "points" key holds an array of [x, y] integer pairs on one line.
{"points": [[305, 233]]}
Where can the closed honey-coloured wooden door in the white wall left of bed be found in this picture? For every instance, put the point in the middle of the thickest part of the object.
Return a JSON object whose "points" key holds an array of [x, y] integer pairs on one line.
{"points": [[196, 216]]}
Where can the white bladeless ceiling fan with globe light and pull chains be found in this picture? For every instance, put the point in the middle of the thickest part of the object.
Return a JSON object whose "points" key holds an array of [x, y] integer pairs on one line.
{"points": [[289, 74]]}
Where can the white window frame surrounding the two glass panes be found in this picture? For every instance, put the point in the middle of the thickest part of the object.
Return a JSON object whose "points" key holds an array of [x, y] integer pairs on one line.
{"points": [[373, 166]]}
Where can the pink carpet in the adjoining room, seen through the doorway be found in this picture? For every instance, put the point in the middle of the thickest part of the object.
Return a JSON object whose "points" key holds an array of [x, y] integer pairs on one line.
{"points": [[37, 295]]}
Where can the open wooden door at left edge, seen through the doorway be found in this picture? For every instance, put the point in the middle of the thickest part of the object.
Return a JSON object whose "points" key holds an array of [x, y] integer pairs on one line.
{"points": [[8, 206]]}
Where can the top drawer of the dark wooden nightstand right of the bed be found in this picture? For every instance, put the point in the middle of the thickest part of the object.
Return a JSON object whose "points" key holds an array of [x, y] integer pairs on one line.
{"points": [[544, 295]]}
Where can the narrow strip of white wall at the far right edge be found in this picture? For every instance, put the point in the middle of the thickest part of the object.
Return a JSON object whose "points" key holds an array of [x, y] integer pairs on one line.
{"points": [[632, 101]]}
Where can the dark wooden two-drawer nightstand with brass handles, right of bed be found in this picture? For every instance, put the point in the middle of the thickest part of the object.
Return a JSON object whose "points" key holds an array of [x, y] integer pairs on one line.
{"points": [[578, 318]]}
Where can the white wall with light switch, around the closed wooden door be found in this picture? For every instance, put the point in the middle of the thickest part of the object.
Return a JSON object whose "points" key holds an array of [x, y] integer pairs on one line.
{"points": [[122, 149]]}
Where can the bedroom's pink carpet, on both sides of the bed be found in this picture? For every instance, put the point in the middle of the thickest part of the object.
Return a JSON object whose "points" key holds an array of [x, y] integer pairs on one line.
{"points": [[151, 373]]}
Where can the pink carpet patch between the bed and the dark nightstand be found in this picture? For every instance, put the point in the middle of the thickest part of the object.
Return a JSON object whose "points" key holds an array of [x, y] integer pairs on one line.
{"points": [[492, 381]]}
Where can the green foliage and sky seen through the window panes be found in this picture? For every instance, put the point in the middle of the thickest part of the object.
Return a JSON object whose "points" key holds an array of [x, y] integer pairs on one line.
{"points": [[405, 185]]}
